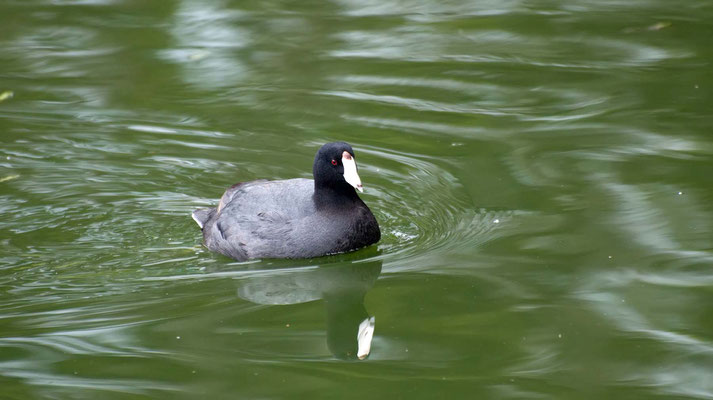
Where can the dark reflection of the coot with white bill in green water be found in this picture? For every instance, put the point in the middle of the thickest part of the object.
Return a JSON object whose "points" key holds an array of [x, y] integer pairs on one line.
{"points": [[343, 287]]}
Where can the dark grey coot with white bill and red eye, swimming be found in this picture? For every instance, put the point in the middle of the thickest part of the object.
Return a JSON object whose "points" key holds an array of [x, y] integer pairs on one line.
{"points": [[294, 218]]}
